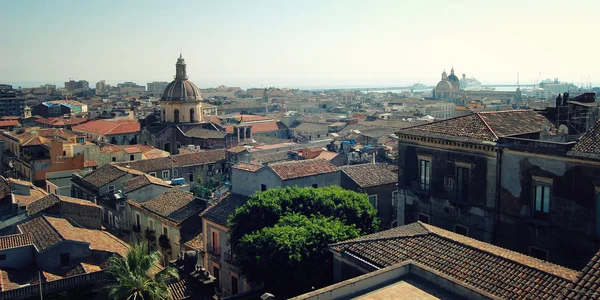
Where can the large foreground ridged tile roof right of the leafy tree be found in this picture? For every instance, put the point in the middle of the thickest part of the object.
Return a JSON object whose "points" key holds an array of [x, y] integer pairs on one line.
{"points": [[498, 271]]}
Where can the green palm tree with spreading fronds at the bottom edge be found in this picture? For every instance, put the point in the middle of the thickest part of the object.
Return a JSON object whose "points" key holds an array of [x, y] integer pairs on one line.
{"points": [[134, 277]]}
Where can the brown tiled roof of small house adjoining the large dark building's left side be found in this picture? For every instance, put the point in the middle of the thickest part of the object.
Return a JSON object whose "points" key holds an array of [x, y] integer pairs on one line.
{"points": [[369, 175]]}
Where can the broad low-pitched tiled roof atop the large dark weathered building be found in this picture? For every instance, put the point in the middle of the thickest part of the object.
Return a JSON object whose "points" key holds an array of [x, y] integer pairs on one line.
{"points": [[483, 126]]}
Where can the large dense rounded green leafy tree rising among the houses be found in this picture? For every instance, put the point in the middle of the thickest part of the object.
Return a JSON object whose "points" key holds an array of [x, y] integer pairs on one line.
{"points": [[280, 236]]}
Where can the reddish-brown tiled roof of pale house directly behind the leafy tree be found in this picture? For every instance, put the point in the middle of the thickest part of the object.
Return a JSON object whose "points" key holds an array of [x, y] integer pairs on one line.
{"points": [[302, 168]]}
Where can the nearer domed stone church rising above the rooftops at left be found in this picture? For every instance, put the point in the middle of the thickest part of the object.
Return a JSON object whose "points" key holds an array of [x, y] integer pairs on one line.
{"points": [[181, 123]]}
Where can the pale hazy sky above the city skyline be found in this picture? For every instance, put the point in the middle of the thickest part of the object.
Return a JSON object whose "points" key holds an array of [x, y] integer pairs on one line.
{"points": [[299, 43]]}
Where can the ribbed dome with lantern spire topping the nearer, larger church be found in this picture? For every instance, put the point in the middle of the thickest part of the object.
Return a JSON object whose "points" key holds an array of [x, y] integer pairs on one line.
{"points": [[181, 89]]}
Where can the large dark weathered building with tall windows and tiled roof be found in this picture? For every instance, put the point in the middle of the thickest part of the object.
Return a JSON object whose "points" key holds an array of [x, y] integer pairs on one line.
{"points": [[506, 178]]}
